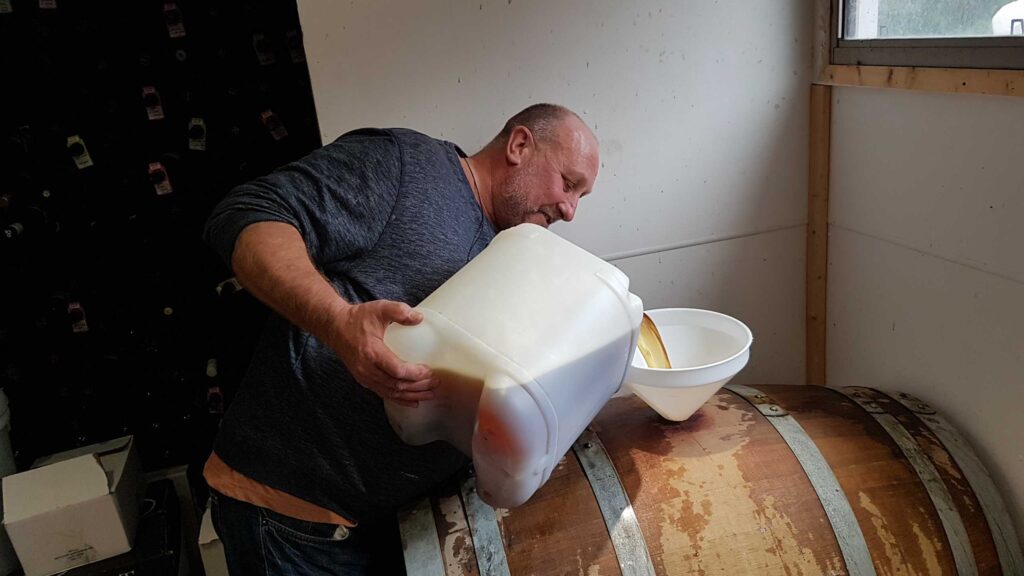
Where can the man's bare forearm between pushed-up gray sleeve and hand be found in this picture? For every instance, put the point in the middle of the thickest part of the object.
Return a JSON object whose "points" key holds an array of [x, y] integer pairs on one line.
{"points": [[271, 261]]}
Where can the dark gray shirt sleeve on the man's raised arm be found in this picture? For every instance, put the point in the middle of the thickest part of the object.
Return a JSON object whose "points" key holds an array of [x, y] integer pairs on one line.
{"points": [[339, 198]]}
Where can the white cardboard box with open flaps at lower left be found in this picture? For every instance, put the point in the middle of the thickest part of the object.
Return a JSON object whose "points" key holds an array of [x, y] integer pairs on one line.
{"points": [[74, 508]]}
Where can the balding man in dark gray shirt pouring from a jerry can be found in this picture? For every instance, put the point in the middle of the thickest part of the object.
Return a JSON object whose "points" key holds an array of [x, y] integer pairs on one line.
{"points": [[307, 473]]}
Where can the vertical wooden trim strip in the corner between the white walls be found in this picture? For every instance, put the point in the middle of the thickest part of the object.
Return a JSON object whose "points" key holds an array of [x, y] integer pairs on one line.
{"points": [[818, 232]]}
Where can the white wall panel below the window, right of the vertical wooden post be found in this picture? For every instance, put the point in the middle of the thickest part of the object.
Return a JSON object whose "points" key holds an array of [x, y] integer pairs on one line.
{"points": [[926, 277]]}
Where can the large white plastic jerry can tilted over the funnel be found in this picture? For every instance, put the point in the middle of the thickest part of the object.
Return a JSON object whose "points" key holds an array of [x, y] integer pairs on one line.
{"points": [[529, 341]]}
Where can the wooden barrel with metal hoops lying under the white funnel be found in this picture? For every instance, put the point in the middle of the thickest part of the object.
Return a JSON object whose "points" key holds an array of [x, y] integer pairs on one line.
{"points": [[767, 480]]}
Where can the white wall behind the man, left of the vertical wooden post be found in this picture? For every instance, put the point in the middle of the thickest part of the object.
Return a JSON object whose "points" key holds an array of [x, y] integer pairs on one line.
{"points": [[701, 109]]}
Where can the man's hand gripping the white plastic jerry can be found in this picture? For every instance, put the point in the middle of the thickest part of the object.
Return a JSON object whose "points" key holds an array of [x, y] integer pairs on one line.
{"points": [[358, 338]]}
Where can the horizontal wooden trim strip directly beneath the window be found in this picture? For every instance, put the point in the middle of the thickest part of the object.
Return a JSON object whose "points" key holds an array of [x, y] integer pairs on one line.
{"points": [[964, 80]]}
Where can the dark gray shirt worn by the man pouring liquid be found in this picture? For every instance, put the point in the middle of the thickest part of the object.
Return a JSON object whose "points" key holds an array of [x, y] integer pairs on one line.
{"points": [[386, 215]]}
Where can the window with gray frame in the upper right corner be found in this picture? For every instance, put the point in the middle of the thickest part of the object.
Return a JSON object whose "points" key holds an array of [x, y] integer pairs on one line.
{"points": [[930, 33]]}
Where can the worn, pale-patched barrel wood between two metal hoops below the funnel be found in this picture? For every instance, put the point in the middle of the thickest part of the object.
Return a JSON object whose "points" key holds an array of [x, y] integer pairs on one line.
{"points": [[720, 493]]}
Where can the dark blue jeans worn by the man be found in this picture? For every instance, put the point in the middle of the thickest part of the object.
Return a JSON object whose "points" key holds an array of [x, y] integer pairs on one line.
{"points": [[262, 543]]}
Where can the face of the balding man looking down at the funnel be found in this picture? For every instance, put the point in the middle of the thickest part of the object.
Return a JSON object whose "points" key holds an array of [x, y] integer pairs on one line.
{"points": [[548, 184]]}
